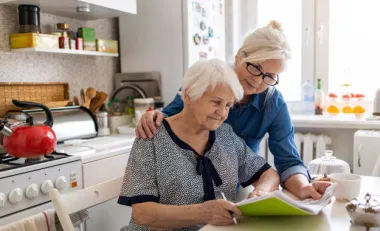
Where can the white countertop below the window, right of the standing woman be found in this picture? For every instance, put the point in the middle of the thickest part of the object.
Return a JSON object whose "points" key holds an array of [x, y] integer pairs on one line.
{"points": [[328, 121]]}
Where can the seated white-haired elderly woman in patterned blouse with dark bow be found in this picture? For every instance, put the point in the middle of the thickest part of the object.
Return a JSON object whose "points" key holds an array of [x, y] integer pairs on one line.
{"points": [[176, 179]]}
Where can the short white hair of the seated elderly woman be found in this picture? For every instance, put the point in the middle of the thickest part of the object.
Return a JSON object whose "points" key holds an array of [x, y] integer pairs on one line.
{"points": [[206, 75]]}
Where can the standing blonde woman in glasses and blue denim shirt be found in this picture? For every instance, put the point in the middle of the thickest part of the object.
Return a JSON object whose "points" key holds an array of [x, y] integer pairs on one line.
{"points": [[258, 64]]}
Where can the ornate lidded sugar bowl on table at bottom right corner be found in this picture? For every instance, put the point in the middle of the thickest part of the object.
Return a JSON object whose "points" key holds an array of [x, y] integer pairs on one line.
{"points": [[364, 212]]}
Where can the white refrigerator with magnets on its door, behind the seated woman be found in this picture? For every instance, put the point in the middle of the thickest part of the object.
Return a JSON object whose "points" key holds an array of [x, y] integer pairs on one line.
{"points": [[168, 36]]}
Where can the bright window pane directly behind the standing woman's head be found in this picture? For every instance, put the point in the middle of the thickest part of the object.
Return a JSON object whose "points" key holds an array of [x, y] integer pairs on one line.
{"points": [[291, 21]]}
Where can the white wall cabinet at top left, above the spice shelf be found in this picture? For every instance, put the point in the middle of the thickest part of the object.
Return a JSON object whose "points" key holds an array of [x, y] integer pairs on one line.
{"points": [[98, 9]]}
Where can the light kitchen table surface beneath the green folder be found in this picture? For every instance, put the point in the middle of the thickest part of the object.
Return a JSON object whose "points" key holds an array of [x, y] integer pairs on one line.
{"points": [[333, 217]]}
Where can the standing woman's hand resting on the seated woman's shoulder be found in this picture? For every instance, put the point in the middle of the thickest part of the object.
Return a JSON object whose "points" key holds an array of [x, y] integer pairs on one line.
{"points": [[145, 127]]}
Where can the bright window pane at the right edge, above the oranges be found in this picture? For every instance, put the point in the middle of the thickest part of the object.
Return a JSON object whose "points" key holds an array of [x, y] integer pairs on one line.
{"points": [[354, 45]]}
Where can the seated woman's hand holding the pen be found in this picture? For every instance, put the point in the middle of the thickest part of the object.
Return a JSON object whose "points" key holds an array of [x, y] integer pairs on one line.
{"points": [[216, 212]]}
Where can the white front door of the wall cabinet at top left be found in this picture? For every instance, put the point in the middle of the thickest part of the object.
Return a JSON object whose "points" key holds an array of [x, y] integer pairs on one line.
{"points": [[128, 6]]}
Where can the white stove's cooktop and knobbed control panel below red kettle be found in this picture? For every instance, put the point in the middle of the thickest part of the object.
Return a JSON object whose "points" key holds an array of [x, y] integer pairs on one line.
{"points": [[25, 183]]}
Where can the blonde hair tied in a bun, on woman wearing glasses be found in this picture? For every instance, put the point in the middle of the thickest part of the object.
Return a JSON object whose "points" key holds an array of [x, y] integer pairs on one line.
{"points": [[265, 43]]}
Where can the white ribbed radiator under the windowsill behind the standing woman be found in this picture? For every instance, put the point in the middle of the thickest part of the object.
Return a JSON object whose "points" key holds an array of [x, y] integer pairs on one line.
{"points": [[310, 146]]}
